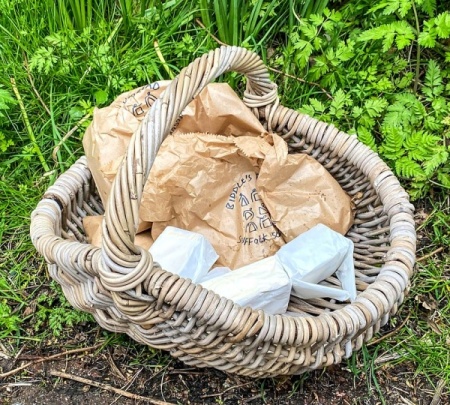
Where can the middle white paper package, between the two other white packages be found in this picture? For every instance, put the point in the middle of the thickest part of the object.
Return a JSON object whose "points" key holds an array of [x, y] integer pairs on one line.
{"points": [[260, 285]]}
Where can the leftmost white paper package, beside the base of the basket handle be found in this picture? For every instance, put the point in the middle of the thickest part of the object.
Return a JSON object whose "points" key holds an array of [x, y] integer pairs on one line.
{"points": [[186, 253]]}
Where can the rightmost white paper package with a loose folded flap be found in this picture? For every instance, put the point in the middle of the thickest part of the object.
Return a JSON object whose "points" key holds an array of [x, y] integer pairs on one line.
{"points": [[314, 256]]}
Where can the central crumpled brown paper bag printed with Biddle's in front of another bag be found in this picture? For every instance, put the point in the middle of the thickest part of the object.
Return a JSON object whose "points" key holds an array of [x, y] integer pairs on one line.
{"points": [[208, 184]]}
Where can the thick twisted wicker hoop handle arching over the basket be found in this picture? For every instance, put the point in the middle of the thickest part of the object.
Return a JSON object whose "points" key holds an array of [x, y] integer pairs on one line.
{"points": [[124, 265]]}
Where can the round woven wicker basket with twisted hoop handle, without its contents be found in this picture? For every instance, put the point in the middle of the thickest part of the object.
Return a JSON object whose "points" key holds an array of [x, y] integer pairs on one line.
{"points": [[126, 292]]}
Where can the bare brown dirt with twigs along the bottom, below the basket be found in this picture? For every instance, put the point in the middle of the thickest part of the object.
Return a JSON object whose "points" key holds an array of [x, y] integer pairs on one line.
{"points": [[174, 383]]}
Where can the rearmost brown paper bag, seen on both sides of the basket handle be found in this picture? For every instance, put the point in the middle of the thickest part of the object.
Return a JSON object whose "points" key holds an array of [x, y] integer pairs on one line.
{"points": [[217, 110]]}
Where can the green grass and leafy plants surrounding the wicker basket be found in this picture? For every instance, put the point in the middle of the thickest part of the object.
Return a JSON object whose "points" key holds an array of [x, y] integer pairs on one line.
{"points": [[68, 57]]}
